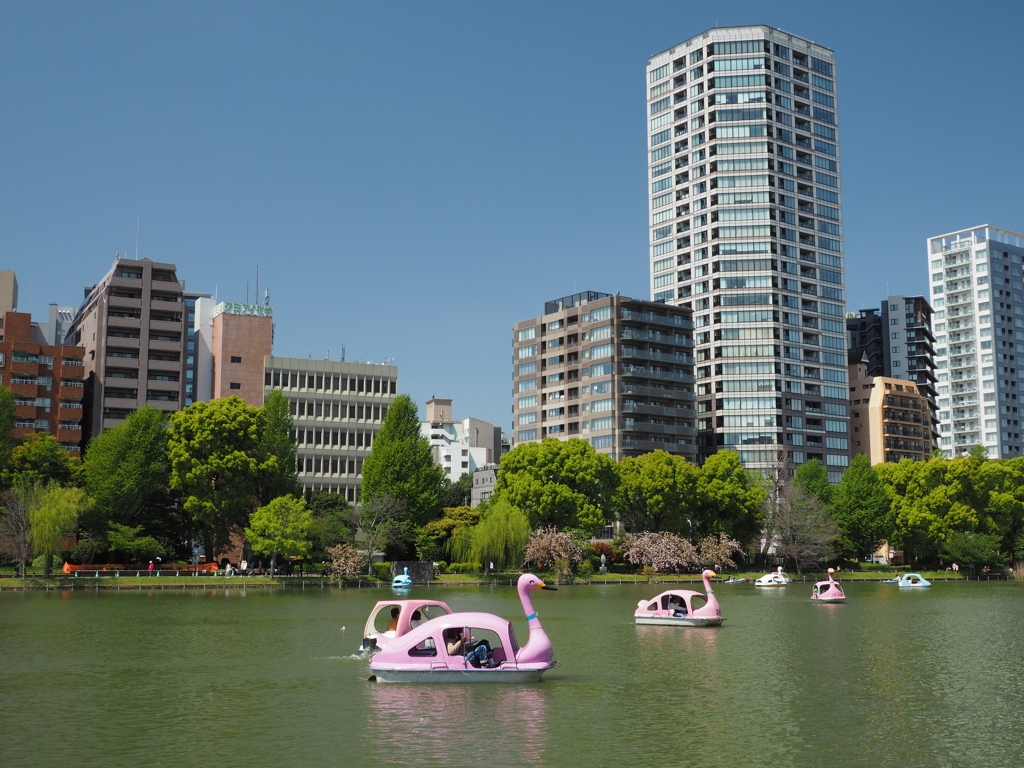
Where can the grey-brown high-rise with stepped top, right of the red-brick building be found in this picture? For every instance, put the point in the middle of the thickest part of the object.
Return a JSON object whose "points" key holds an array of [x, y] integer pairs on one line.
{"points": [[133, 326]]}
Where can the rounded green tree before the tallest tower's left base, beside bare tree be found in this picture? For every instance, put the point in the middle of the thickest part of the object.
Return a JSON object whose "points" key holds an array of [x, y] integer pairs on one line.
{"points": [[730, 499]]}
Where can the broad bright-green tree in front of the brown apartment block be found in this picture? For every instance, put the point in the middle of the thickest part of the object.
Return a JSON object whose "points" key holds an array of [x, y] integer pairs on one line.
{"points": [[563, 484]]}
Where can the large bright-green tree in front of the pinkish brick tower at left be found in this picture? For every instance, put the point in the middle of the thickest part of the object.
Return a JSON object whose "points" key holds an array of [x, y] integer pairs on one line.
{"points": [[214, 449]]}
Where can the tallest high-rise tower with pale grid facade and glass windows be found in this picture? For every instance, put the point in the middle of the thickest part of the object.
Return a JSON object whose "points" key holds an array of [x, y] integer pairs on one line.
{"points": [[746, 230]]}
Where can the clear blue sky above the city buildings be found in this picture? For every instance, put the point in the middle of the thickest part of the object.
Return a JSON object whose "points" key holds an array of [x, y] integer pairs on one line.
{"points": [[412, 179]]}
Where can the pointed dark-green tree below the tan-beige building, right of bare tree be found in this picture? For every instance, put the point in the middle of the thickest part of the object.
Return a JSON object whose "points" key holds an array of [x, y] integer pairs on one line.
{"points": [[863, 509]]}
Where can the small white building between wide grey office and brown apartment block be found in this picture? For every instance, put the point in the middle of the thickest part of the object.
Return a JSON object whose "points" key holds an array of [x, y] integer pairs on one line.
{"points": [[458, 447]]}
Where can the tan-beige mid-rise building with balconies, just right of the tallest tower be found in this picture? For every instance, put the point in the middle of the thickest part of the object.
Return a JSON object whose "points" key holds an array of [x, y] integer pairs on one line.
{"points": [[890, 418]]}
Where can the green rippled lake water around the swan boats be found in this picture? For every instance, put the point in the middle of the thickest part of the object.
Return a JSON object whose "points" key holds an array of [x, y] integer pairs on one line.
{"points": [[266, 678]]}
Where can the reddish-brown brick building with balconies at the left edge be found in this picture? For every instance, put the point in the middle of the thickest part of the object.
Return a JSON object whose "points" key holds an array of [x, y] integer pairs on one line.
{"points": [[48, 382]]}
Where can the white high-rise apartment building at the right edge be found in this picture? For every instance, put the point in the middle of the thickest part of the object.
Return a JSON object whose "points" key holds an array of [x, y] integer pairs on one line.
{"points": [[979, 333]]}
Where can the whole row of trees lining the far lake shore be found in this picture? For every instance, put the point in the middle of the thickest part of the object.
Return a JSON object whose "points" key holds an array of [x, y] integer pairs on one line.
{"points": [[219, 474]]}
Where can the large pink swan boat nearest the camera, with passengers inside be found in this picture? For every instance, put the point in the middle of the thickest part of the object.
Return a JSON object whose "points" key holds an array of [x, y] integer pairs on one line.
{"points": [[421, 656]]}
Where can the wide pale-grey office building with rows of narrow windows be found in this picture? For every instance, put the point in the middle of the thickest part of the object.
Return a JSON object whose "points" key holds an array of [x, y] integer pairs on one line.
{"points": [[337, 409]]}
